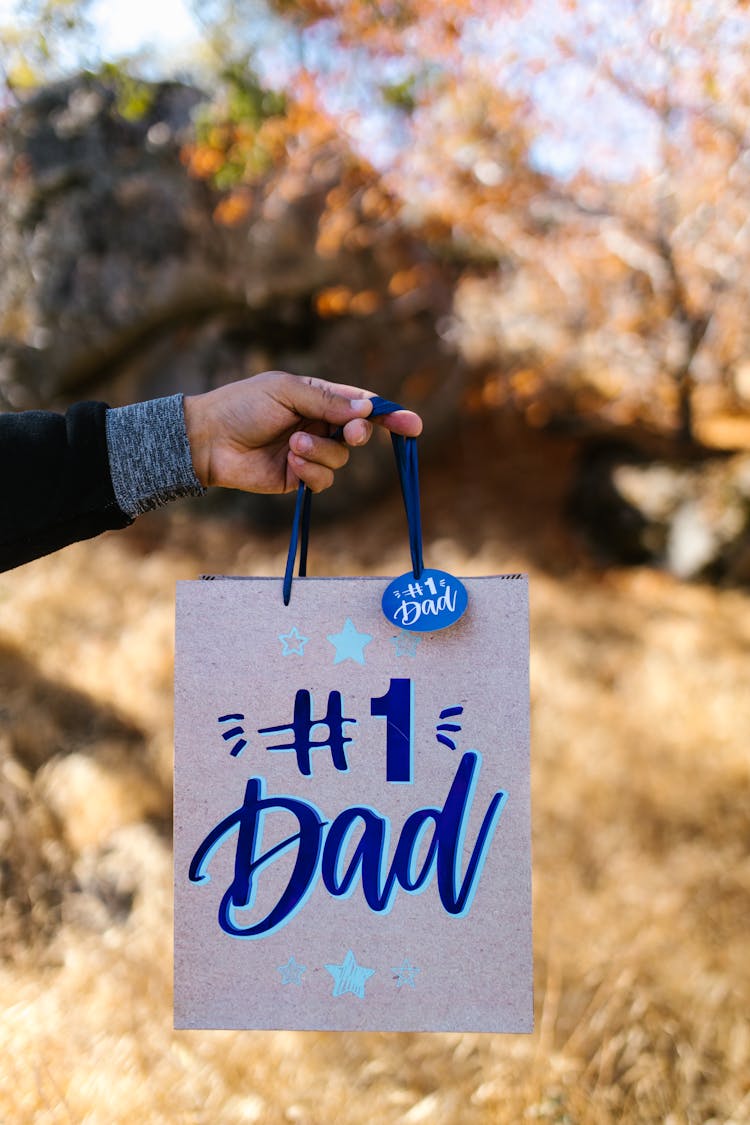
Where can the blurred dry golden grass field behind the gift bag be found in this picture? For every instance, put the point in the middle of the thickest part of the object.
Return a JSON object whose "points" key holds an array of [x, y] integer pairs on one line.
{"points": [[641, 785]]}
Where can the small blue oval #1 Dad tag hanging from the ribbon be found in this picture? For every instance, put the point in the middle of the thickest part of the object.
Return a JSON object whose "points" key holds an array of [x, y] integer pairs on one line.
{"points": [[435, 601]]}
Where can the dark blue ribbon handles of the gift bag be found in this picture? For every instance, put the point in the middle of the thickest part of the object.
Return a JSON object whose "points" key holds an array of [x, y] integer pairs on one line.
{"points": [[405, 451]]}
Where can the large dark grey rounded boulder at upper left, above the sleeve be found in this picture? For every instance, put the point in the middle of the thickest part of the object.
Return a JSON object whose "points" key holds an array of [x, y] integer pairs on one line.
{"points": [[104, 236]]}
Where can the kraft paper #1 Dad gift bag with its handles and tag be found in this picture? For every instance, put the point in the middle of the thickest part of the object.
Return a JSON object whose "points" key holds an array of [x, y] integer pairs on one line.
{"points": [[353, 802]]}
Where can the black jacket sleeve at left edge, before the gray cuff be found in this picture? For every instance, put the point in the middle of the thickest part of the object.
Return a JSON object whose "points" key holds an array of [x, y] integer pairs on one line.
{"points": [[56, 487]]}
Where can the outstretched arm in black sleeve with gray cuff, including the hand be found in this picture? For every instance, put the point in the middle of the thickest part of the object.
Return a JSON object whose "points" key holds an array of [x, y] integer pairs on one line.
{"points": [[96, 470]]}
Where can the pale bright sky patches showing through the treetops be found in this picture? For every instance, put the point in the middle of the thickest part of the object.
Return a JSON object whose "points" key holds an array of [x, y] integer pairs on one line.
{"points": [[609, 134]]}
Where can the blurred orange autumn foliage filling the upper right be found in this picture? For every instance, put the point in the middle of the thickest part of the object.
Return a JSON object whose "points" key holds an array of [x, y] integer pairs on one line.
{"points": [[622, 282]]}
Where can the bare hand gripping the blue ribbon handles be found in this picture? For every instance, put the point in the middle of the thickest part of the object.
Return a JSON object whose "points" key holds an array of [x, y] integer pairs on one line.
{"points": [[272, 431]]}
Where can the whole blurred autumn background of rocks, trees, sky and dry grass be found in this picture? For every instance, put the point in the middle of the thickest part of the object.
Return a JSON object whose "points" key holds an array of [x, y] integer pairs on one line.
{"points": [[530, 221]]}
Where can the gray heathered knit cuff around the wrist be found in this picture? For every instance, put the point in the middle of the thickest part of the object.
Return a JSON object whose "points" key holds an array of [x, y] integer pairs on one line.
{"points": [[150, 455]]}
